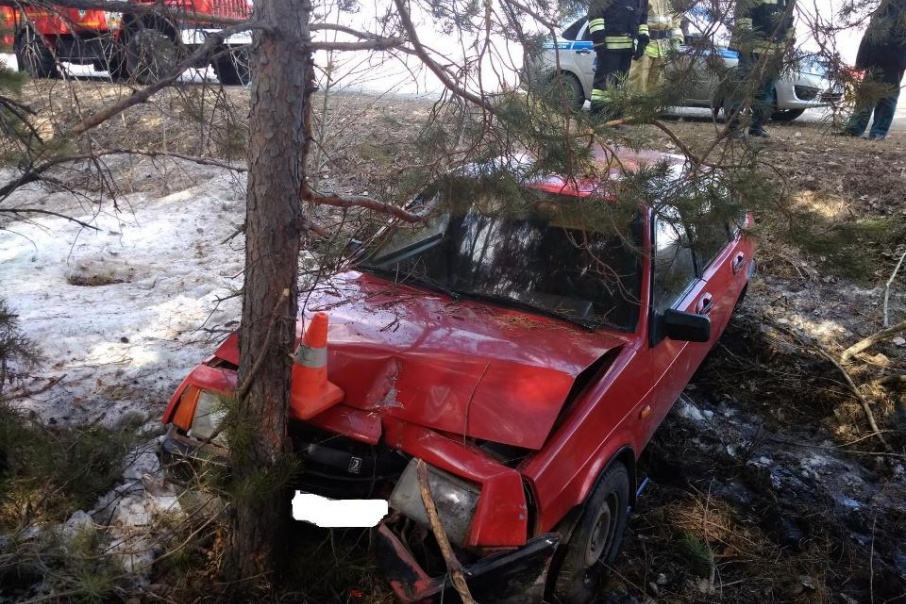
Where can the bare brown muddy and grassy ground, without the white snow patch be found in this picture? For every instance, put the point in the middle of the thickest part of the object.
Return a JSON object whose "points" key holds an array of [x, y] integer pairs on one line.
{"points": [[766, 482]]}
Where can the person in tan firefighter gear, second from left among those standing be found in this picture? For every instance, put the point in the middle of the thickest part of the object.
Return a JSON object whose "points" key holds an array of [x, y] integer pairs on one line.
{"points": [[664, 34]]}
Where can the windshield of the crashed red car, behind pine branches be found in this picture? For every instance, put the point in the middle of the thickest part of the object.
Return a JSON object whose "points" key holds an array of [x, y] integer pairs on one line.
{"points": [[535, 253]]}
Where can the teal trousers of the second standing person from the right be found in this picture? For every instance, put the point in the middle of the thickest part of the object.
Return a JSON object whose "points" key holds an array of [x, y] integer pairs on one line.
{"points": [[754, 80]]}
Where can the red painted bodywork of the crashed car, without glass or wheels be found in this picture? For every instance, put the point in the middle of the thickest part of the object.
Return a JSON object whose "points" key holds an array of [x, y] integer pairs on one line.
{"points": [[433, 377]]}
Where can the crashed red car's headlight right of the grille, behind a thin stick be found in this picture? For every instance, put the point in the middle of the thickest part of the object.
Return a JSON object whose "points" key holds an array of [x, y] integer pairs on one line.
{"points": [[454, 498]]}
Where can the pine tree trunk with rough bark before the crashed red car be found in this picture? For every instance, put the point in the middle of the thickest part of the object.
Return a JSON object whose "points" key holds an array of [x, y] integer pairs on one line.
{"points": [[274, 222]]}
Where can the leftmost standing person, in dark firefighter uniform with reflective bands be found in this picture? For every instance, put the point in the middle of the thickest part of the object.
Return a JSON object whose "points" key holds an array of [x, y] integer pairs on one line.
{"points": [[615, 27]]}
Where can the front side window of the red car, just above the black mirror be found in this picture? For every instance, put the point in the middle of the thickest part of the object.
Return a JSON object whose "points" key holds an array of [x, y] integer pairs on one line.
{"points": [[674, 266]]}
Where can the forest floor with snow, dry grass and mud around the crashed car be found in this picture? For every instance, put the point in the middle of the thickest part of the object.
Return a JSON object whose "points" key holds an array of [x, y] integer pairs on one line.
{"points": [[767, 483]]}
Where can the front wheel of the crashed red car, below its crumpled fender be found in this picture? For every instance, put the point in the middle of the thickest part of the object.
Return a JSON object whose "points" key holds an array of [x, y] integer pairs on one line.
{"points": [[595, 540]]}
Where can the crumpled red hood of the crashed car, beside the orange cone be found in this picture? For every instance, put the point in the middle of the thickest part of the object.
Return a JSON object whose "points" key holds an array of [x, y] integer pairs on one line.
{"points": [[460, 367]]}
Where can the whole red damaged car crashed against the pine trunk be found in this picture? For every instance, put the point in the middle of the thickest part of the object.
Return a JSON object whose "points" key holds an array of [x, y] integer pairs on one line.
{"points": [[524, 342]]}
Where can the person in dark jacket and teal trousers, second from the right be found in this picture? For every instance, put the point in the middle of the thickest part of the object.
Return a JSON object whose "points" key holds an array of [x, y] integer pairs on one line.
{"points": [[764, 30]]}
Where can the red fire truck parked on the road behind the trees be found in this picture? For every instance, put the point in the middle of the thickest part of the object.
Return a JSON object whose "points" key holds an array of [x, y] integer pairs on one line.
{"points": [[140, 45]]}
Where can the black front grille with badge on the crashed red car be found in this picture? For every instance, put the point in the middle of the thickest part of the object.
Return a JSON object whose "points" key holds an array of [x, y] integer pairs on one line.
{"points": [[341, 468]]}
